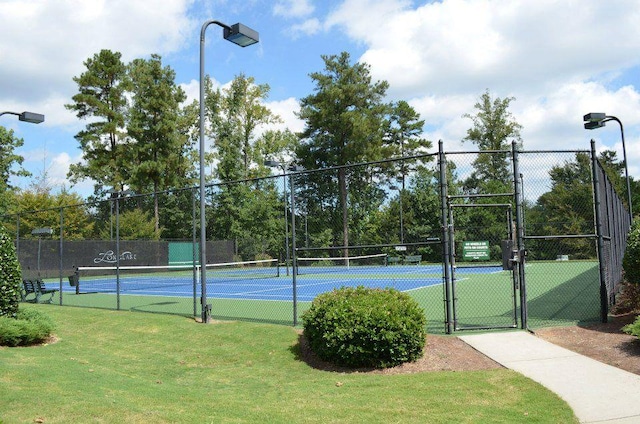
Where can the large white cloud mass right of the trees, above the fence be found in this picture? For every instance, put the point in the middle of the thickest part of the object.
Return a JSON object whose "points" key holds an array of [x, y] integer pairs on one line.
{"points": [[556, 58]]}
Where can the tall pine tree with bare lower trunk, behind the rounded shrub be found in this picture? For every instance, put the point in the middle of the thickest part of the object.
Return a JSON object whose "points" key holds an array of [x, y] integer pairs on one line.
{"points": [[342, 122]]}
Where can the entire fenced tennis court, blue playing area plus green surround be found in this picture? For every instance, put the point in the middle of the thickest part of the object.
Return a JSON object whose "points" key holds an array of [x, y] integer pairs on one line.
{"points": [[559, 292]]}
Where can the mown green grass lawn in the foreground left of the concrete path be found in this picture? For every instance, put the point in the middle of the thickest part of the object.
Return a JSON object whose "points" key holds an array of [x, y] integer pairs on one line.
{"points": [[110, 366]]}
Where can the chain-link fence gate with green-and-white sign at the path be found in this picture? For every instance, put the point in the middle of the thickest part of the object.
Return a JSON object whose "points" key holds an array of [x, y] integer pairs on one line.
{"points": [[484, 276]]}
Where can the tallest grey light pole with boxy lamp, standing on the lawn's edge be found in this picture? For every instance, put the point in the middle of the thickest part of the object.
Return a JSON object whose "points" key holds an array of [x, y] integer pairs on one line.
{"points": [[242, 36]]}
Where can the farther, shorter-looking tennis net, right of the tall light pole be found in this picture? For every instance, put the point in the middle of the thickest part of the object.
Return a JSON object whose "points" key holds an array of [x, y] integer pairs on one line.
{"points": [[351, 264]]}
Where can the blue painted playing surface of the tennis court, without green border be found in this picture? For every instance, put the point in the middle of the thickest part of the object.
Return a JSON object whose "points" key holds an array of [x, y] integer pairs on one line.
{"points": [[311, 282]]}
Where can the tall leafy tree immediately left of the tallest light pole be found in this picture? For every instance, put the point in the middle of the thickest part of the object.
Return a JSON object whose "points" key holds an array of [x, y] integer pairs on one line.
{"points": [[157, 150]]}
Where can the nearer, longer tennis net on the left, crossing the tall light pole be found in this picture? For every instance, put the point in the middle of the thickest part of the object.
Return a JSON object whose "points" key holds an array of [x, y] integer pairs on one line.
{"points": [[171, 278]]}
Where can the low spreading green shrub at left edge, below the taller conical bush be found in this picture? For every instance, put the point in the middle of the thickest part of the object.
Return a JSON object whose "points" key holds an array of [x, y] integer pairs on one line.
{"points": [[29, 327]]}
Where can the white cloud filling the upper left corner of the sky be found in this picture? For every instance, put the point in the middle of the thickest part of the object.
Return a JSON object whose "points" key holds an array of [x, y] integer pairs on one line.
{"points": [[58, 36]]}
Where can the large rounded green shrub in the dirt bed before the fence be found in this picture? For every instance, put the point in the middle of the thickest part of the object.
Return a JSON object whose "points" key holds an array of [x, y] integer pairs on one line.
{"points": [[361, 327]]}
